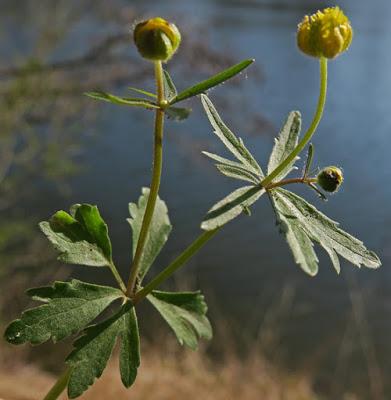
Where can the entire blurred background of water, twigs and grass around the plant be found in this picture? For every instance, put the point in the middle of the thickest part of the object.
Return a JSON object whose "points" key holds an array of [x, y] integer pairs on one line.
{"points": [[278, 333]]}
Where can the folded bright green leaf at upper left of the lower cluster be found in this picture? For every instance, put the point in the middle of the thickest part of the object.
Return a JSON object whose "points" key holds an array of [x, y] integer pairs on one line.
{"points": [[81, 238]]}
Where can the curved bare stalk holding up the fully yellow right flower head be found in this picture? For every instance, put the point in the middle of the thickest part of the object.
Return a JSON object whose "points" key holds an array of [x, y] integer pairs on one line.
{"points": [[311, 130]]}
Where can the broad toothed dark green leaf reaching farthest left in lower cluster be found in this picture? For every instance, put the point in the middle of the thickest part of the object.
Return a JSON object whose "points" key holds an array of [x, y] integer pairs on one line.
{"points": [[70, 307]]}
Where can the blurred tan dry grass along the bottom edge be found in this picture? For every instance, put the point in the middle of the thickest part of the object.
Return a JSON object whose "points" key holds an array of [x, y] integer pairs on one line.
{"points": [[170, 376]]}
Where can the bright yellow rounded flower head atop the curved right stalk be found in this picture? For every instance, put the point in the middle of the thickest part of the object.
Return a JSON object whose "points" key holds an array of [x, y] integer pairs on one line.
{"points": [[326, 33]]}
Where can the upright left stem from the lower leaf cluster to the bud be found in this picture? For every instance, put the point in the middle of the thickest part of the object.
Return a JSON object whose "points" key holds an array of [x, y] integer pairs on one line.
{"points": [[155, 184]]}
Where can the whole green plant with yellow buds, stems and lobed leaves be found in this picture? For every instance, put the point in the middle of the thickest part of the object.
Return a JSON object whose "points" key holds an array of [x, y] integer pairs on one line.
{"points": [[81, 235]]}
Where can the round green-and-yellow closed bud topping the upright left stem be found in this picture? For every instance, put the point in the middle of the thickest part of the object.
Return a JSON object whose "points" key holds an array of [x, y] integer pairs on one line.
{"points": [[156, 39]]}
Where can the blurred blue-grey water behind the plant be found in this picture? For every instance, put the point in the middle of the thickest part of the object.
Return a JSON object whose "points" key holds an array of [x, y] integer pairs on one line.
{"points": [[248, 265]]}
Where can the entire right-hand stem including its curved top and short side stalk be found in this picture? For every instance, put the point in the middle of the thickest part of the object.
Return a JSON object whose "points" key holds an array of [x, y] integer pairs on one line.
{"points": [[267, 183]]}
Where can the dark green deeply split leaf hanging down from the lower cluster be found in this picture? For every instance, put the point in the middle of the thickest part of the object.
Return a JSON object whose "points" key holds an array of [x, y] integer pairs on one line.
{"points": [[93, 350]]}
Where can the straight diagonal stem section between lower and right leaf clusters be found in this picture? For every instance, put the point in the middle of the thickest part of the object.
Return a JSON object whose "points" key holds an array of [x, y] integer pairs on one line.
{"points": [[176, 264]]}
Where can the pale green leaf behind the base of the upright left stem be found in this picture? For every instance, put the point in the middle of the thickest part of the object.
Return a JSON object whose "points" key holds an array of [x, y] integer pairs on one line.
{"points": [[158, 233]]}
